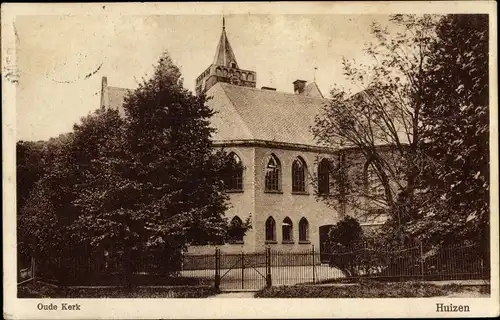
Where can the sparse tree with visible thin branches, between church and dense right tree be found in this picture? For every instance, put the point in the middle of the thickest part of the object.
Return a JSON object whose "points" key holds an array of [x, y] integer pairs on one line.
{"points": [[382, 121]]}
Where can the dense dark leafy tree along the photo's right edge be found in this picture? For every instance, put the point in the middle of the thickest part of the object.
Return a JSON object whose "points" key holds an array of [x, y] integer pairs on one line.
{"points": [[455, 130]]}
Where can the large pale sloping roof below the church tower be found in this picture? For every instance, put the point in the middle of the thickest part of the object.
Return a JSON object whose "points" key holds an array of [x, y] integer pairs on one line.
{"points": [[253, 114]]}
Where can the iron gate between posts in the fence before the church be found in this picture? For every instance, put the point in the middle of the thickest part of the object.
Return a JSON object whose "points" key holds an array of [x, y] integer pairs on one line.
{"points": [[242, 271]]}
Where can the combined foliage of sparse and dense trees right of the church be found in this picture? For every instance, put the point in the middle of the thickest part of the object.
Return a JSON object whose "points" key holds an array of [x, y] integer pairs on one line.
{"points": [[420, 125]]}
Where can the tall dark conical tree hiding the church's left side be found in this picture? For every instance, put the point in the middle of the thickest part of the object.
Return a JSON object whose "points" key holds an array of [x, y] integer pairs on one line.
{"points": [[157, 183]]}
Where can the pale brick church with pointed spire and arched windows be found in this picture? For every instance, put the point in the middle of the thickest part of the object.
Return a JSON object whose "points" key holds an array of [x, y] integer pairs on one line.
{"points": [[269, 133]]}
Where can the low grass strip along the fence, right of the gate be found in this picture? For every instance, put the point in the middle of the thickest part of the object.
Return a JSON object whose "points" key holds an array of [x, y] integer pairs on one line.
{"points": [[374, 290]]}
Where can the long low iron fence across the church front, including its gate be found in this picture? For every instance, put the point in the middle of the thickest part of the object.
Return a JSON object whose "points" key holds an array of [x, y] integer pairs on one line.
{"points": [[270, 267]]}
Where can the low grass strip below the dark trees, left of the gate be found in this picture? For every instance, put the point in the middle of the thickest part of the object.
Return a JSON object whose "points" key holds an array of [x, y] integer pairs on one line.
{"points": [[40, 290]]}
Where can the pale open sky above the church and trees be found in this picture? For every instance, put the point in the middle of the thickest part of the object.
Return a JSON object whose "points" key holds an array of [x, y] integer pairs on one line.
{"points": [[56, 53]]}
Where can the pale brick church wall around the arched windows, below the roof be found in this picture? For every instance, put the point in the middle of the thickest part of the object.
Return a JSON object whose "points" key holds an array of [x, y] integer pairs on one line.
{"points": [[260, 205]]}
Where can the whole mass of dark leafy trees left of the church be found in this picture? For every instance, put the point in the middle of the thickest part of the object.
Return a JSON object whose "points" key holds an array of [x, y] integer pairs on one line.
{"points": [[134, 188]]}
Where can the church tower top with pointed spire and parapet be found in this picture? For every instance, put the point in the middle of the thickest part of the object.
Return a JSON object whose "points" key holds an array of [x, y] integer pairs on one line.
{"points": [[224, 68]]}
